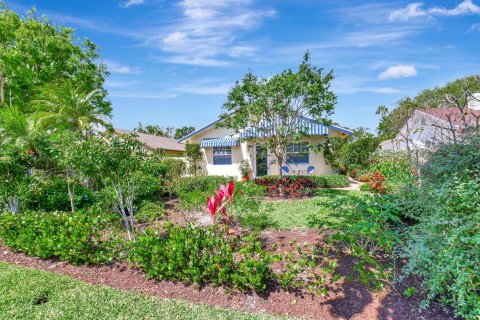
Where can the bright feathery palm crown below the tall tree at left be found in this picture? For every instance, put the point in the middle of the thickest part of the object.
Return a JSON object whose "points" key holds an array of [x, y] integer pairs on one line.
{"points": [[65, 106]]}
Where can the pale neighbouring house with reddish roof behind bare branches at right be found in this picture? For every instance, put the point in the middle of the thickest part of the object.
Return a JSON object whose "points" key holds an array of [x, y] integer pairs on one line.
{"points": [[427, 128]]}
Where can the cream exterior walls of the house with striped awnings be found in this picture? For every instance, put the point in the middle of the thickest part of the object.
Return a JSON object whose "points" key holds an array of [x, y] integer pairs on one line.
{"points": [[247, 151]]}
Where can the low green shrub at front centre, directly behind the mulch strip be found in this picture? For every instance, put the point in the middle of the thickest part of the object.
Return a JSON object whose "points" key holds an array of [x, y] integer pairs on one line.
{"points": [[203, 256]]}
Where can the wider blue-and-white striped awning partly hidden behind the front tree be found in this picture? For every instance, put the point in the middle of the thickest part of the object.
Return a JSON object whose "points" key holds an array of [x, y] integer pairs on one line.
{"points": [[303, 125]]}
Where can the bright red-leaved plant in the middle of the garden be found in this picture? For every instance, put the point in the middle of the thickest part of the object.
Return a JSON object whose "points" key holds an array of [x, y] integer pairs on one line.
{"points": [[216, 204]]}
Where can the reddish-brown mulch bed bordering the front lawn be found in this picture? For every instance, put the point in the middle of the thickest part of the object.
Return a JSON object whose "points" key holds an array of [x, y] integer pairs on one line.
{"points": [[348, 300]]}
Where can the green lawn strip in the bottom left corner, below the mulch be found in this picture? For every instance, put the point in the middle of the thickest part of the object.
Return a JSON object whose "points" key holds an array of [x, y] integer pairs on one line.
{"points": [[34, 294]]}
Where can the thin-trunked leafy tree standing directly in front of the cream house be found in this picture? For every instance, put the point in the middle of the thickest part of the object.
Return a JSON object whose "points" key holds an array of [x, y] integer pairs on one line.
{"points": [[272, 106]]}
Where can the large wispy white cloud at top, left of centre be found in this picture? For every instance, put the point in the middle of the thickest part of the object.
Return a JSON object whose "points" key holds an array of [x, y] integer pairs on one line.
{"points": [[209, 30]]}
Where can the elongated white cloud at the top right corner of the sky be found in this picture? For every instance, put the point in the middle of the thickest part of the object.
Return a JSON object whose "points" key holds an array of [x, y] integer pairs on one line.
{"points": [[415, 10]]}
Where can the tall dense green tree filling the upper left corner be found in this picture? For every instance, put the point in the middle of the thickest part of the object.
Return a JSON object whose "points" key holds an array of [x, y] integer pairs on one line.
{"points": [[34, 51]]}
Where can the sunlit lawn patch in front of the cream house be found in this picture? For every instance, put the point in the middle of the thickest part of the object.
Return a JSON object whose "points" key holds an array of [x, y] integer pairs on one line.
{"points": [[292, 214]]}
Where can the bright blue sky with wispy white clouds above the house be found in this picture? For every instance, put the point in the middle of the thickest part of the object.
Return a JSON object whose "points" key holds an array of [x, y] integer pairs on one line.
{"points": [[173, 61]]}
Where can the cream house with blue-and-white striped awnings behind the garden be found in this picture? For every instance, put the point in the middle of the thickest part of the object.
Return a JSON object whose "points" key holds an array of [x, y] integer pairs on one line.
{"points": [[224, 149]]}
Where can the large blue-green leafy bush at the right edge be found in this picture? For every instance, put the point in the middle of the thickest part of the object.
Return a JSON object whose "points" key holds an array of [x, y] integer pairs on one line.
{"points": [[442, 248]]}
